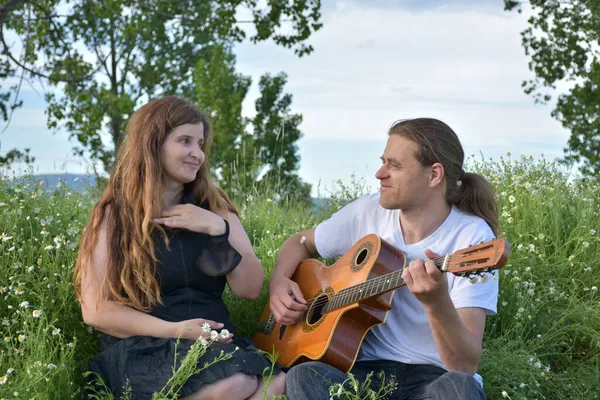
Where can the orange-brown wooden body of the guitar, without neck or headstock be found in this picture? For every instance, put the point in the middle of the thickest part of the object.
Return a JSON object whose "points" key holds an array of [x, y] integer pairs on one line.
{"points": [[333, 337]]}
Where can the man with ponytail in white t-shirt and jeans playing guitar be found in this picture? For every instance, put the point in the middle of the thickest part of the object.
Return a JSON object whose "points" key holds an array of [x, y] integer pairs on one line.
{"points": [[427, 205]]}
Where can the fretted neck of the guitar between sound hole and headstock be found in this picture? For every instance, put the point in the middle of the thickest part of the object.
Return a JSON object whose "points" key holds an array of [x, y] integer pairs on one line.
{"points": [[373, 287]]}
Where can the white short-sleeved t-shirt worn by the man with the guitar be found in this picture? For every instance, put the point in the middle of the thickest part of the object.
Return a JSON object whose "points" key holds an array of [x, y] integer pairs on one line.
{"points": [[406, 335]]}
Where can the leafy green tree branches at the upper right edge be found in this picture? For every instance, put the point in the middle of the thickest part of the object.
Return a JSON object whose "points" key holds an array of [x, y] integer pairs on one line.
{"points": [[563, 41]]}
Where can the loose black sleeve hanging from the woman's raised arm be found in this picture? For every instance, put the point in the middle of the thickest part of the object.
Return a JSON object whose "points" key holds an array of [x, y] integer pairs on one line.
{"points": [[218, 257]]}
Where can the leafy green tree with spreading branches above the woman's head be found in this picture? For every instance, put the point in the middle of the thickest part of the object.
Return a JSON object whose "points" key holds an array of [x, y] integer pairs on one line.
{"points": [[109, 56]]}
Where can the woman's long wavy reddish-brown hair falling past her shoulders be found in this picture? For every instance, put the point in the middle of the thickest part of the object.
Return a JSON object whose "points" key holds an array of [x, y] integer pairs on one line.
{"points": [[134, 192]]}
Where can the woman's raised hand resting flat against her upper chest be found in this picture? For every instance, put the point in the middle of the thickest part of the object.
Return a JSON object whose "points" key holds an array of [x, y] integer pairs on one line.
{"points": [[192, 218]]}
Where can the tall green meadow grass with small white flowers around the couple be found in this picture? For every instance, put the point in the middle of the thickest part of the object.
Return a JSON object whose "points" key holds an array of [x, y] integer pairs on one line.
{"points": [[543, 344]]}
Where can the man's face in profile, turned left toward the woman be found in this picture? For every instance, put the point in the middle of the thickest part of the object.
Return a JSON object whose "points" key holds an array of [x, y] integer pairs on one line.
{"points": [[404, 181]]}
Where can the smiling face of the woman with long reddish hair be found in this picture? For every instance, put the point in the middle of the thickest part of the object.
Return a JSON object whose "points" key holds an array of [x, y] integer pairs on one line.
{"points": [[182, 153]]}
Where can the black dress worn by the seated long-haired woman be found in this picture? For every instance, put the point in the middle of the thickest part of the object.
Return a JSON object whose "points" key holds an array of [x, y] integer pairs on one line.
{"points": [[188, 292]]}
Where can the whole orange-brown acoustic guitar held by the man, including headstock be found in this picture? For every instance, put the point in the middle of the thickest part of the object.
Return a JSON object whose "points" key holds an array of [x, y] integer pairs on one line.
{"points": [[354, 294]]}
